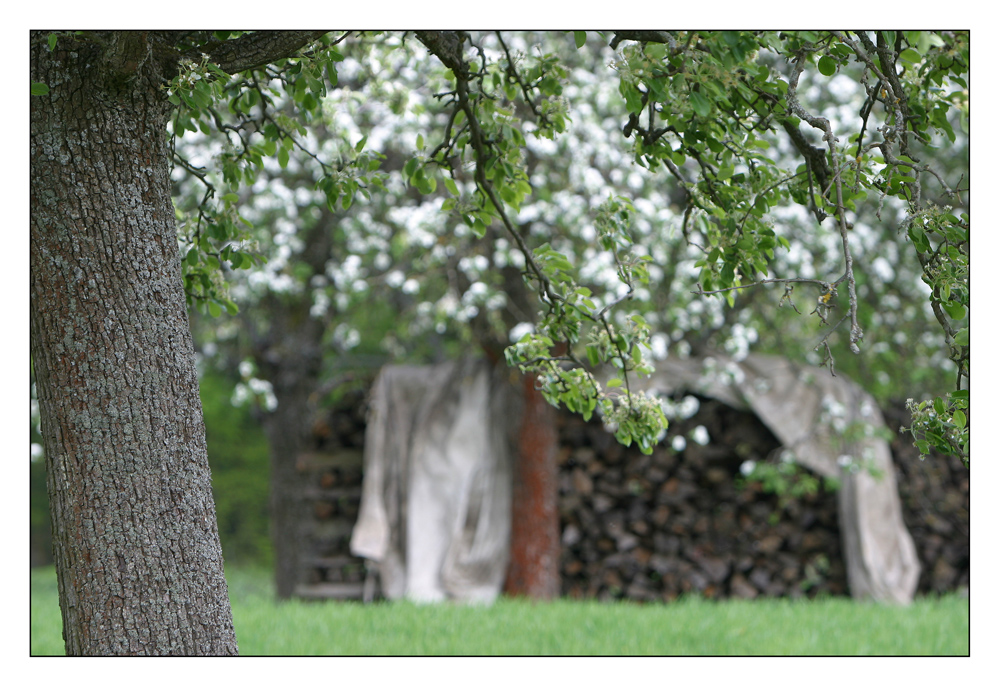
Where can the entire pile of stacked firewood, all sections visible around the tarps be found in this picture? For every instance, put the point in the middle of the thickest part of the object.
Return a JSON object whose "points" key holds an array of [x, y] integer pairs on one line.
{"points": [[675, 522]]}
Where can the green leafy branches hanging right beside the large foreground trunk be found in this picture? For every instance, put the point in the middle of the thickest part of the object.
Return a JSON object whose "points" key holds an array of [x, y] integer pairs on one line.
{"points": [[254, 129]]}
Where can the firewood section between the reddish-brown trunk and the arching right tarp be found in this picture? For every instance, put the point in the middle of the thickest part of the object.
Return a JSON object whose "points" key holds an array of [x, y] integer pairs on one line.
{"points": [[676, 522]]}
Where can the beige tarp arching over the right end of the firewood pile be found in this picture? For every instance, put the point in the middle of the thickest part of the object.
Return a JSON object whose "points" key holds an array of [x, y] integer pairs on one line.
{"points": [[820, 419]]}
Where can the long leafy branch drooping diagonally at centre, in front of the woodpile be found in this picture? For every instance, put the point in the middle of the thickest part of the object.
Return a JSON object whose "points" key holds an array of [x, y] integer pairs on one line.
{"points": [[568, 305]]}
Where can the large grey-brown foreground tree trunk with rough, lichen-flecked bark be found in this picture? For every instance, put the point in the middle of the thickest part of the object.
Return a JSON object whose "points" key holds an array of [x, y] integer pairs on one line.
{"points": [[135, 540]]}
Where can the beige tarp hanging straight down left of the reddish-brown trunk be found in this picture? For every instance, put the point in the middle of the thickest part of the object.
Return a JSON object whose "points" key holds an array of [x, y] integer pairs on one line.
{"points": [[435, 507]]}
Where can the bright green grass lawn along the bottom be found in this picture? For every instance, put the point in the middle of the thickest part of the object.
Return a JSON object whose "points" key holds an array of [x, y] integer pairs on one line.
{"points": [[938, 626]]}
